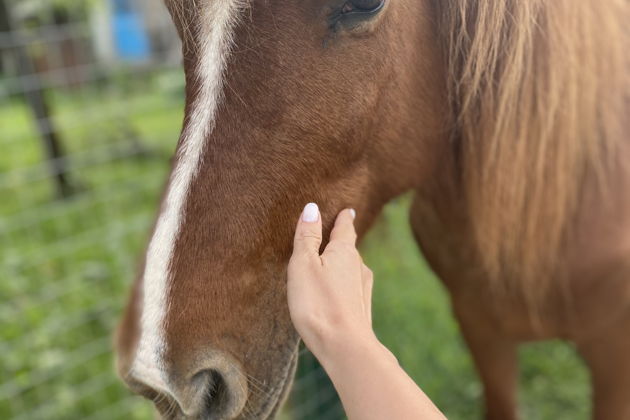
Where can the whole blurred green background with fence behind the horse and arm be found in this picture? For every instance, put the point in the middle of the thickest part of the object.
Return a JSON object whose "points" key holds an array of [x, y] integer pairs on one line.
{"points": [[91, 102]]}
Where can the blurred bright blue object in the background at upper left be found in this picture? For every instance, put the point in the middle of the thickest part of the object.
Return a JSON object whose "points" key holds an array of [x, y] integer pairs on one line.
{"points": [[130, 37]]}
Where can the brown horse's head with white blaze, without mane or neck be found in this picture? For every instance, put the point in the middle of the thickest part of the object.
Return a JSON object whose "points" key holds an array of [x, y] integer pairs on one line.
{"points": [[340, 102]]}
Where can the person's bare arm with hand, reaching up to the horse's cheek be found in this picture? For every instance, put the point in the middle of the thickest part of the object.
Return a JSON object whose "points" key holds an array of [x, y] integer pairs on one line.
{"points": [[330, 304]]}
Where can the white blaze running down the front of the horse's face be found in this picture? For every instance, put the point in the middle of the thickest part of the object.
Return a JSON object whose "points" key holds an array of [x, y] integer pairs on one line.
{"points": [[214, 38]]}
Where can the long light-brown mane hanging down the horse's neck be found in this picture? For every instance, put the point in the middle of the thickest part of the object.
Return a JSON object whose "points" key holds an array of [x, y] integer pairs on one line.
{"points": [[539, 93]]}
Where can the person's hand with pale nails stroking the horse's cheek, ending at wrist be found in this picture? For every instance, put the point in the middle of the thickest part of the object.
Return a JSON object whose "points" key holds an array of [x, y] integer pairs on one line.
{"points": [[330, 295]]}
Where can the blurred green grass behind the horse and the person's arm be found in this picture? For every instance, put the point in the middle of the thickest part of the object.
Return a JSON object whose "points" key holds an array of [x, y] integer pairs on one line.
{"points": [[65, 268]]}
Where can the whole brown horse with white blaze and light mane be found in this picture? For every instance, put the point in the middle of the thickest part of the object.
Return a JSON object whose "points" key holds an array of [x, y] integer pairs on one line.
{"points": [[506, 120]]}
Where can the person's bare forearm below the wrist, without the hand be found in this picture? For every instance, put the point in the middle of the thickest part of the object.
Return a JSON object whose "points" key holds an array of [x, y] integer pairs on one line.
{"points": [[372, 385]]}
